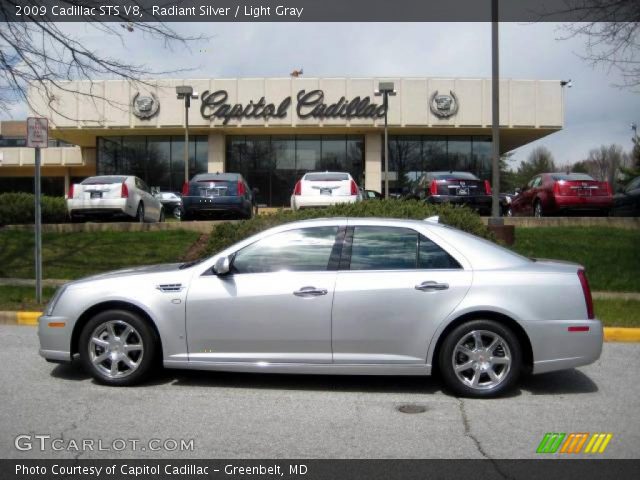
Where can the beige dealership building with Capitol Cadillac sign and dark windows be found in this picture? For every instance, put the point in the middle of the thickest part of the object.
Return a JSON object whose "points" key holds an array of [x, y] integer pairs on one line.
{"points": [[272, 130]]}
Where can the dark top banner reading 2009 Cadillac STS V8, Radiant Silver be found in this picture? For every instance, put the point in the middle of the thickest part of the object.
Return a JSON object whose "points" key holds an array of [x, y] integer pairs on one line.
{"points": [[316, 10]]}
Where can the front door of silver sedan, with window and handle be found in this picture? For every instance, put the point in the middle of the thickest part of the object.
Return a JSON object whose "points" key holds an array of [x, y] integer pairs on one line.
{"points": [[274, 306]]}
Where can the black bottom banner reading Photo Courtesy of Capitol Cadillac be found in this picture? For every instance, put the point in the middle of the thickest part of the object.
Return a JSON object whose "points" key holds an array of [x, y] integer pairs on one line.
{"points": [[579, 469]]}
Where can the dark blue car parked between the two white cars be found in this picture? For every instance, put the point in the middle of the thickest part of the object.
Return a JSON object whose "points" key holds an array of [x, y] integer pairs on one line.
{"points": [[218, 194]]}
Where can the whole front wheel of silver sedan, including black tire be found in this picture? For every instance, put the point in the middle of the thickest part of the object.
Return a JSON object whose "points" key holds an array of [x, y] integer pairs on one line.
{"points": [[109, 327]]}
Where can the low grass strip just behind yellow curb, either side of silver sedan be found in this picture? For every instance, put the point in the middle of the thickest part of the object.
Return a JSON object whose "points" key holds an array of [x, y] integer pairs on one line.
{"points": [[613, 313]]}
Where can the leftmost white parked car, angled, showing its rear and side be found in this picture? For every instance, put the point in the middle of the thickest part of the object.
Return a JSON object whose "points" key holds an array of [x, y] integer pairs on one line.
{"points": [[113, 195]]}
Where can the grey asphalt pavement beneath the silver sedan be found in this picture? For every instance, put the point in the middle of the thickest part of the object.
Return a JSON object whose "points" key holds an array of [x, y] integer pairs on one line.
{"points": [[280, 416]]}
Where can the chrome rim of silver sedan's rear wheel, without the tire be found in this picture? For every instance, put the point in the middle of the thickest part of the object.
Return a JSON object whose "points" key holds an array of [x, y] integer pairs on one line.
{"points": [[481, 360]]}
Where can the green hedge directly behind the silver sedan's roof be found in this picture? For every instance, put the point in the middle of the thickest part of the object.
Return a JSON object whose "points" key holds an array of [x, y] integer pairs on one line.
{"points": [[226, 234]]}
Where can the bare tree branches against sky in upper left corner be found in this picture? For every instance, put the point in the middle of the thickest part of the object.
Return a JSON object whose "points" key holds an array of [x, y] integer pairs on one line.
{"points": [[42, 56]]}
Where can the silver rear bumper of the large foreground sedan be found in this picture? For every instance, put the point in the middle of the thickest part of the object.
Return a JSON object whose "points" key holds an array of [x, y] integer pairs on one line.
{"points": [[555, 348]]}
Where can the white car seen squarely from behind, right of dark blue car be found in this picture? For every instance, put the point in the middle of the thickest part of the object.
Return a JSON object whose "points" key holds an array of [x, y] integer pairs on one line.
{"points": [[321, 189]]}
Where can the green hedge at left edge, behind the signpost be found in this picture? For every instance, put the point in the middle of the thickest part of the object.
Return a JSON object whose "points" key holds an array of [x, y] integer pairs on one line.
{"points": [[18, 208]]}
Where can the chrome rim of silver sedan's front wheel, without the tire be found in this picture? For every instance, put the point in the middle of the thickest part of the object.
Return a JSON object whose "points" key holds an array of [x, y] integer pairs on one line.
{"points": [[116, 349]]}
